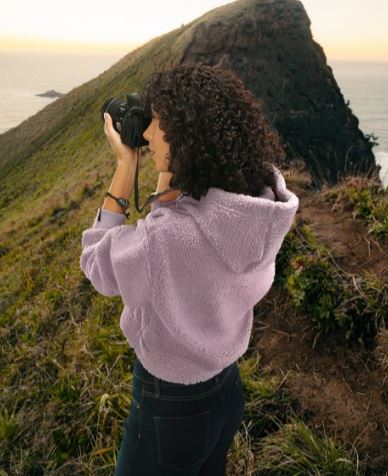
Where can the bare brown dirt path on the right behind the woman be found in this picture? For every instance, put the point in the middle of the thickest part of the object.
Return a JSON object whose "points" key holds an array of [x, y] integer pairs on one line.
{"points": [[340, 390]]}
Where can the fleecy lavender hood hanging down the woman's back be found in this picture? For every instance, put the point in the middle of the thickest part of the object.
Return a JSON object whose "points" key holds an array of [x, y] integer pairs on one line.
{"points": [[245, 231]]}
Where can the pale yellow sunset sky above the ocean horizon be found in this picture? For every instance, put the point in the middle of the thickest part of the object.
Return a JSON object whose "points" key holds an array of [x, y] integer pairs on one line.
{"points": [[346, 29]]}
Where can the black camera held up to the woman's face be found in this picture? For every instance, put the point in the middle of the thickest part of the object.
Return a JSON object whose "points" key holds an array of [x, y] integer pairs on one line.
{"points": [[129, 119]]}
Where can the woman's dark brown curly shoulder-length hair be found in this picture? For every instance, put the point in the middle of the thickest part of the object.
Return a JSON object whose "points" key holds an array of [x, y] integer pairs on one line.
{"points": [[216, 129]]}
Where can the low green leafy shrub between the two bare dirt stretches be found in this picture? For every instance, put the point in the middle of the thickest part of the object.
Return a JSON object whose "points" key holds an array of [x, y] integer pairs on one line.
{"points": [[354, 306]]}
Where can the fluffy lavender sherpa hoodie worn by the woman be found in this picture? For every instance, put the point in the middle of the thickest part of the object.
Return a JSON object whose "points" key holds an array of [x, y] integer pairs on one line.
{"points": [[189, 275]]}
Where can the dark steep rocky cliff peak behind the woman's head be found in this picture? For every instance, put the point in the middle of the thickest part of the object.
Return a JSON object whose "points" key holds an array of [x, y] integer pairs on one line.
{"points": [[270, 45]]}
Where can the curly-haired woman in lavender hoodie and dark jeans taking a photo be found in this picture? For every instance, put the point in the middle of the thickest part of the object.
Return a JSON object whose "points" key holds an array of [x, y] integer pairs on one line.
{"points": [[191, 272]]}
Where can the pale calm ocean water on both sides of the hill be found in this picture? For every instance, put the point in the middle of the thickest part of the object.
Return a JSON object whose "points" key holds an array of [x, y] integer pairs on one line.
{"points": [[363, 84]]}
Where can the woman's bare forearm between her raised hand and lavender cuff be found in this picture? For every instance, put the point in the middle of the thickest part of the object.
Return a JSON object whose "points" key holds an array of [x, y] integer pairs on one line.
{"points": [[122, 185]]}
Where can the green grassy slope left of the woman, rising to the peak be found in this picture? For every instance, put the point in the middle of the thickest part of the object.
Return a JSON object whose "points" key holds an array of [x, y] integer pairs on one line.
{"points": [[62, 348]]}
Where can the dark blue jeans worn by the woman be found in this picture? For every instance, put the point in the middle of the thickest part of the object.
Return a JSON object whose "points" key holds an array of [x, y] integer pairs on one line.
{"points": [[181, 429]]}
